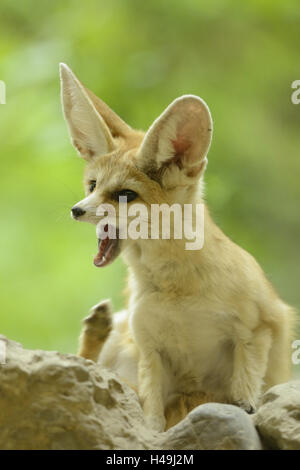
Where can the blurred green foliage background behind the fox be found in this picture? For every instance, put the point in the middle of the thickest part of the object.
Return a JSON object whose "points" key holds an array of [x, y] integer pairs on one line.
{"points": [[241, 57]]}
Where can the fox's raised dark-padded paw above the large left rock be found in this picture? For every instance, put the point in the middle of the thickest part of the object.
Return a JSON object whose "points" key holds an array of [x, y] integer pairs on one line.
{"points": [[98, 323]]}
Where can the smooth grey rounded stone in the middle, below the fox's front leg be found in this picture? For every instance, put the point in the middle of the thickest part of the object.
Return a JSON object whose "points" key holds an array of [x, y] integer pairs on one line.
{"points": [[214, 426]]}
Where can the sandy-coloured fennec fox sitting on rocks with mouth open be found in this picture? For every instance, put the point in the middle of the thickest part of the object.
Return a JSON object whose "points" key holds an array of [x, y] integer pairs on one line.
{"points": [[201, 325]]}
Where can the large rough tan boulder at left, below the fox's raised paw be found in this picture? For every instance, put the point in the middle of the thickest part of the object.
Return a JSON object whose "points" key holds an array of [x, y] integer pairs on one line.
{"points": [[59, 401]]}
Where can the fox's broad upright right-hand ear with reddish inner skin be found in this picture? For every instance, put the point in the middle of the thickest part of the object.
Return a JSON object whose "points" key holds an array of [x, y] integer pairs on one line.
{"points": [[179, 139]]}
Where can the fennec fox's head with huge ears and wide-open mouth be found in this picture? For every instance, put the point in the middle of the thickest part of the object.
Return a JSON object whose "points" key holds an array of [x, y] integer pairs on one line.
{"points": [[163, 165]]}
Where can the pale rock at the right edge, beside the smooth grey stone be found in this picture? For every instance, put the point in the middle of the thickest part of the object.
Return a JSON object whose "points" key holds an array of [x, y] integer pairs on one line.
{"points": [[278, 417]]}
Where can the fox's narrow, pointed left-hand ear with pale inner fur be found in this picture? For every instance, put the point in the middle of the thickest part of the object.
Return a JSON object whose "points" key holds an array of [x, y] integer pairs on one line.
{"points": [[88, 131]]}
